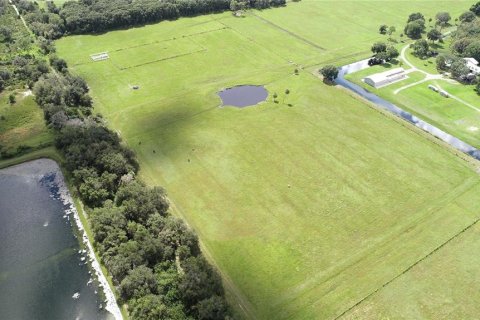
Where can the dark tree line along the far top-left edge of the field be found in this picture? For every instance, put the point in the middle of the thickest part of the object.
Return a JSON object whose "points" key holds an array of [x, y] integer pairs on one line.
{"points": [[93, 16]]}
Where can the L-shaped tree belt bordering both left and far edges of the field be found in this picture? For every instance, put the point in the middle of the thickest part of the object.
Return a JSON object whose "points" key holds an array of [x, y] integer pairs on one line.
{"points": [[154, 258]]}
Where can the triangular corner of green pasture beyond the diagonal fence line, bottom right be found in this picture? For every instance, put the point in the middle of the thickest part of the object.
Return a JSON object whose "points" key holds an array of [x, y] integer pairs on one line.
{"points": [[447, 281]]}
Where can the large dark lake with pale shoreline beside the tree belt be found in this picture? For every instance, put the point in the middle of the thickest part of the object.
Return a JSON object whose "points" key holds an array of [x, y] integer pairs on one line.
{"points": [[43, 274]]}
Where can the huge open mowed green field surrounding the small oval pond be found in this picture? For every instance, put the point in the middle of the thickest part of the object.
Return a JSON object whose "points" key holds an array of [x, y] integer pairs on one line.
{"points": [[326, 208]]}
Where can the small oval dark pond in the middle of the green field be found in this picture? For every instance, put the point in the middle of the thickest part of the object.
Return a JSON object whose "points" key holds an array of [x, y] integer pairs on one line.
{"points": [[243, 96]]}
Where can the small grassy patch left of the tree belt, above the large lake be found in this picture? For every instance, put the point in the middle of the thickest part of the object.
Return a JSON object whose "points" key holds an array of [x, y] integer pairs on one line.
{"points": [[21, 123]]}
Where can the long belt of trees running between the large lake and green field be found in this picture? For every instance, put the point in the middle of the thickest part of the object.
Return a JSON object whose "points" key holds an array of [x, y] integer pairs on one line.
{"points": [[154, 259]]}
